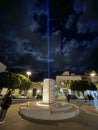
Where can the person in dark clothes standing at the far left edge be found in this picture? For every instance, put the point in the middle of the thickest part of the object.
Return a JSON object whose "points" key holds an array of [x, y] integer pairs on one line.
{"points": [[5, 104]]}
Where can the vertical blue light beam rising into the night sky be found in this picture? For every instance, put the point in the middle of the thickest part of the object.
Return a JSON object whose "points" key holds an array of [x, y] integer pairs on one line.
{"points": [[48, 36]]}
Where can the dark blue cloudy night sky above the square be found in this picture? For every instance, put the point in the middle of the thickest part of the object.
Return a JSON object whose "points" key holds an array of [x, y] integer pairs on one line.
{"points": [[49, 36]]}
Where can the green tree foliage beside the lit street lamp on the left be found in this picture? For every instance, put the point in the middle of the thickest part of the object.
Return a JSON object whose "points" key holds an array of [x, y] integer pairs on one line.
{"points": [[13, 80]]}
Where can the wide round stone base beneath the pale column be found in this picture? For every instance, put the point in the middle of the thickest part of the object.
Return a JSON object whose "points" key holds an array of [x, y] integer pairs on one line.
{"points": [[53, 112]]}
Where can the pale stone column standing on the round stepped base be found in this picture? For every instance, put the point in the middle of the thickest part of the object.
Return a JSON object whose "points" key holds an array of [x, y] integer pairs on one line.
{"points": [[48, 91]]}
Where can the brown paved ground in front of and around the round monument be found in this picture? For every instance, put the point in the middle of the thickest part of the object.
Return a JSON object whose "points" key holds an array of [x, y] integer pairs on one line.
{"points": [[83, 121]]}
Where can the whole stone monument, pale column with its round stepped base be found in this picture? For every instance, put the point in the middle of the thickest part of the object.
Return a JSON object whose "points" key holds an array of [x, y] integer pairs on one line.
{"points": [[49, 108]]}
